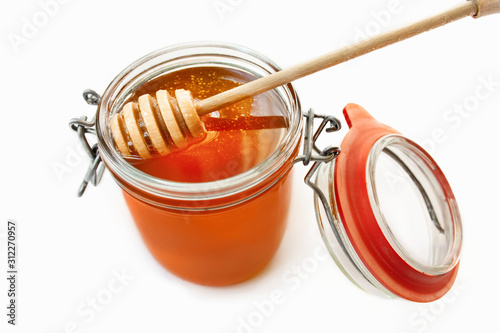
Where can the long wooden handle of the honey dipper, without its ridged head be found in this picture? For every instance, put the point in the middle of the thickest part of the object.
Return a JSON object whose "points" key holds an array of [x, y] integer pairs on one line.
{"points": [[475, 8]]}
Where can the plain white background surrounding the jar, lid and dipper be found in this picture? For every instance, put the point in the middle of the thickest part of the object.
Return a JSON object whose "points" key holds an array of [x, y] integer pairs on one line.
{"points": [[70, 248]]}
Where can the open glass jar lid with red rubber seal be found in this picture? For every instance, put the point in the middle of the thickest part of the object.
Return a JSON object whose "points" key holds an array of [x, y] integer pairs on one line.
{"points": [[395, 225]]}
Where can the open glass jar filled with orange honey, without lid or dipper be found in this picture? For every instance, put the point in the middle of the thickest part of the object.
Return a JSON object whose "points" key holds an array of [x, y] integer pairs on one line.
{"points": [[213, 212]]}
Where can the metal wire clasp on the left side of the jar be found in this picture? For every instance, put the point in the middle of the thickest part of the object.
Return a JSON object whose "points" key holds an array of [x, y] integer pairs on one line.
{"points": [[82, 127]]}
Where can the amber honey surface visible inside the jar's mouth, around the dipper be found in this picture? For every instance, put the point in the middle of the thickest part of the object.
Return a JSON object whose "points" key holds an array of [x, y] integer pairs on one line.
{"points": [[239, 136]]}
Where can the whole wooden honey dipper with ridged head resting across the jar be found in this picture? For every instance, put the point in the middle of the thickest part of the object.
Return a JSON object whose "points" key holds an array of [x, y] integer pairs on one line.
{"points": [[172, 122]]}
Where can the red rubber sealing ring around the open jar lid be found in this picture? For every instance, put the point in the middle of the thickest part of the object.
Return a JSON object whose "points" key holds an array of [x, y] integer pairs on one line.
{"points": [[360, 223]]}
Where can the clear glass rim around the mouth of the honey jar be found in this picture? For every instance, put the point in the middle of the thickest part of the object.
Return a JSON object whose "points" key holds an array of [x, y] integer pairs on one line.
{"points": [[166, 189]]}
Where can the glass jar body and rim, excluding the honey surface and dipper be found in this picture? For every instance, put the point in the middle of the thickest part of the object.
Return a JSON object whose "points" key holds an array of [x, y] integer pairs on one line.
{"points": [[213, 233]]}
